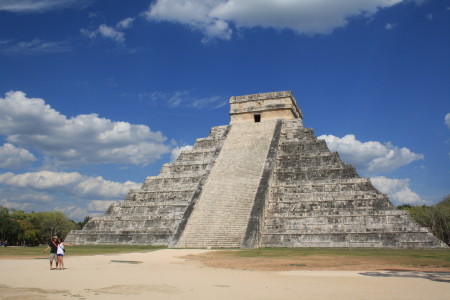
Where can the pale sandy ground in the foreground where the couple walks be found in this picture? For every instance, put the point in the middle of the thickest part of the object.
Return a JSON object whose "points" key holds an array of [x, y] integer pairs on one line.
{"points": [[168, 274]]}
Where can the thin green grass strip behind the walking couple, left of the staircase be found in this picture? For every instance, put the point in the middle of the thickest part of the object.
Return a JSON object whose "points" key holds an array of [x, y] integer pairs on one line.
{"points": [[75, 250]]}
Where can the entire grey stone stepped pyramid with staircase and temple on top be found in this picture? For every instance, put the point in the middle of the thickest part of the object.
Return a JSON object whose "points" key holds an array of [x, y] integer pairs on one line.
{"points": [[262, 181]]}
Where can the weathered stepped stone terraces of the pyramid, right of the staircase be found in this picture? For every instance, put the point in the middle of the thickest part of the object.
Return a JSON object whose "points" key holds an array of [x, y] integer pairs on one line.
{"points": [[316, 200]]}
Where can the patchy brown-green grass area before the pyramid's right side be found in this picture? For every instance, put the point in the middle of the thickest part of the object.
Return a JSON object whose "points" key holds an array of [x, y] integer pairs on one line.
{"points": [[329, 259]]}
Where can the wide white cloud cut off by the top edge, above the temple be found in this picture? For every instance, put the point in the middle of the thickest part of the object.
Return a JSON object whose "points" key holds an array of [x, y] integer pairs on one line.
{"points": [[215, 17]]}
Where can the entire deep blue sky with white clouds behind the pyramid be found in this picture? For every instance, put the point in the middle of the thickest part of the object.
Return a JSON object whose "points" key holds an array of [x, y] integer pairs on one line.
{"points": [[97, 95]]}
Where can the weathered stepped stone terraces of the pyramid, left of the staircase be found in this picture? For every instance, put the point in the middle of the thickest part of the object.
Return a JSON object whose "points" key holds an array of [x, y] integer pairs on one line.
{"points": [[152, 214]]}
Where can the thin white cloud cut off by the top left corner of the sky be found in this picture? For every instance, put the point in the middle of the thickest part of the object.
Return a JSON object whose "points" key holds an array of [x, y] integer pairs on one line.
{"points": [[37, 6]]}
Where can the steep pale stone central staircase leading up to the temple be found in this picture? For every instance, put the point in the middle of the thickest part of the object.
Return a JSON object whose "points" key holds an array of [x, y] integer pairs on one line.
{"points": [[221, 215]]}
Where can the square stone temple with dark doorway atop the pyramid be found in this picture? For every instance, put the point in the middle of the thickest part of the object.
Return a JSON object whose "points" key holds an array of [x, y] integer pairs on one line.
{"points": [[265, 106]]}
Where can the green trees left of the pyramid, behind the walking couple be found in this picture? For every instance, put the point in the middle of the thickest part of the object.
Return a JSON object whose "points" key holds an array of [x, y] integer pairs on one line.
{"points": [[28, 229]]}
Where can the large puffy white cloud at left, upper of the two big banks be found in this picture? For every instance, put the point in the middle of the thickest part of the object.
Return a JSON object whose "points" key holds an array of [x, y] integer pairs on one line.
{"points": [[83, 139]]}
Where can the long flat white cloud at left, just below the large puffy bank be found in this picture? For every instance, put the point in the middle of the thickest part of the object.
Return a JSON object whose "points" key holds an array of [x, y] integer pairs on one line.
{"points": [[69, 183]]}
